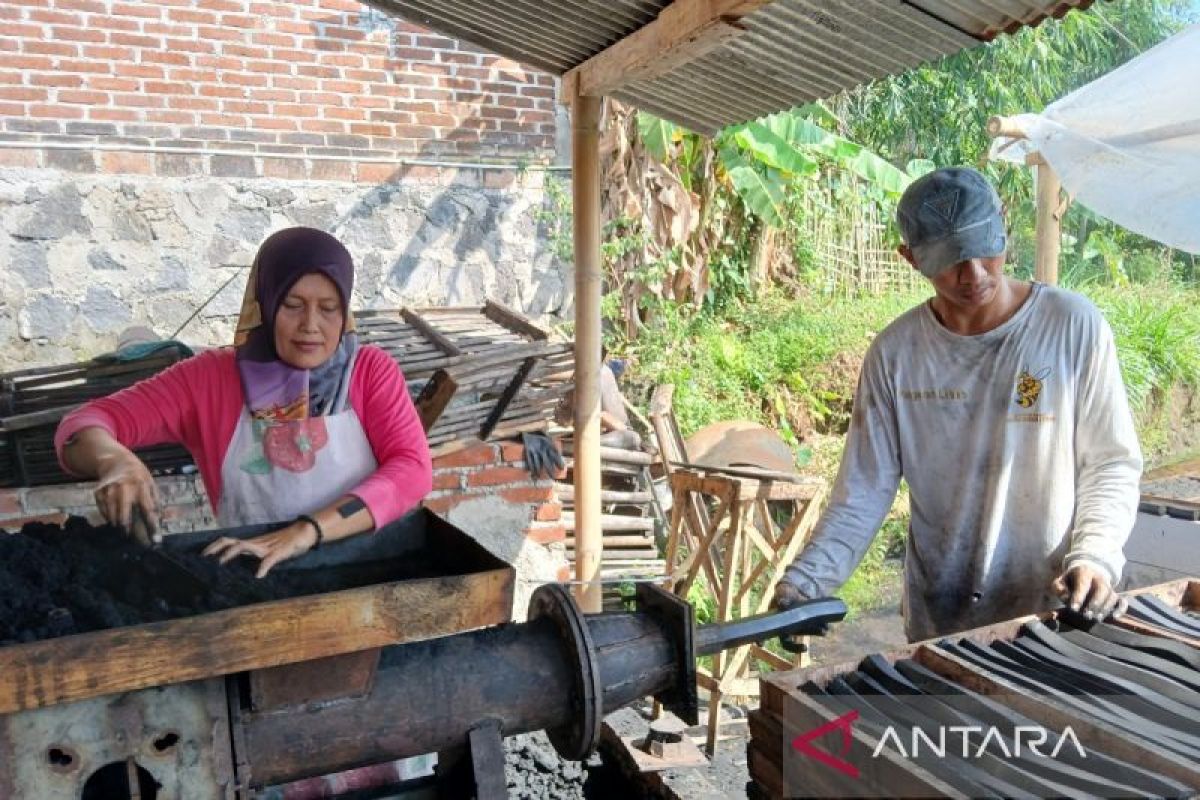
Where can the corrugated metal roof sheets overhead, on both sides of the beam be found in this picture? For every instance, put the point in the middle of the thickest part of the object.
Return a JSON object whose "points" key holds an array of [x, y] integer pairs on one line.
{"points": [[793, 51]]}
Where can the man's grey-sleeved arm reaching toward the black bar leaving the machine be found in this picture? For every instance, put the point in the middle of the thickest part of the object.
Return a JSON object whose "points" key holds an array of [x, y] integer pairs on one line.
{"points": [[862, 495]]}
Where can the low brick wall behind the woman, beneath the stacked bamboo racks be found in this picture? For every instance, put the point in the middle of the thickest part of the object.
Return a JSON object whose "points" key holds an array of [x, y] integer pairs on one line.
{"points": [[483, 490]]}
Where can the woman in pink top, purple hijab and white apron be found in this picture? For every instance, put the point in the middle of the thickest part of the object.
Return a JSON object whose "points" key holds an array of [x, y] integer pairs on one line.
{"points": [[296, 424]]}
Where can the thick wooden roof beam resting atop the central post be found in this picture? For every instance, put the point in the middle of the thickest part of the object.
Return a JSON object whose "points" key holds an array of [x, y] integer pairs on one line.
{"points": [[683, 32]]}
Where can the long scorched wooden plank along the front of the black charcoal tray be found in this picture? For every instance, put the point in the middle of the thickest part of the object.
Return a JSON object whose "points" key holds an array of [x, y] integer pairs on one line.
{"points": [[250, 637]]}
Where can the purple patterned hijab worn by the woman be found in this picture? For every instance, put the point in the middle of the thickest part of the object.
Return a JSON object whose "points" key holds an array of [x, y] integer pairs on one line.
{"points": [[275, 390]]}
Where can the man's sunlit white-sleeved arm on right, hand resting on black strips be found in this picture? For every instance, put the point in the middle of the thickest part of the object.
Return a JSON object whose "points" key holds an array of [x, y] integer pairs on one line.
{"points": [[1108, 471]]}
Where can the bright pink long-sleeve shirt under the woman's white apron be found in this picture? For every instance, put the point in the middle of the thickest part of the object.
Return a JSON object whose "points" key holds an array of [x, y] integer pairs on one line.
{"points": [[199, 402]]}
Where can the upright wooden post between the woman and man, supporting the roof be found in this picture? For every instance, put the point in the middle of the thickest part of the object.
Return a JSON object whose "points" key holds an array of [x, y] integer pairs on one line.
{"points": [[586, 190]]}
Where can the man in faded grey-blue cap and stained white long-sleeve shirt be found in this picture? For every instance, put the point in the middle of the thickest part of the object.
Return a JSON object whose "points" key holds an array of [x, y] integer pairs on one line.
{"points": [[1001, 404]]}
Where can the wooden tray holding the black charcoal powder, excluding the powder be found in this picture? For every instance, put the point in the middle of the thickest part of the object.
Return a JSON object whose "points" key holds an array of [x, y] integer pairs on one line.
{"points": [[475, 590]]}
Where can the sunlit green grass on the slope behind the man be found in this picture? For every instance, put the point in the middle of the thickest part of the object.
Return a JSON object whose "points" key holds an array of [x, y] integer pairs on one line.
{"points": [[793, 364]]}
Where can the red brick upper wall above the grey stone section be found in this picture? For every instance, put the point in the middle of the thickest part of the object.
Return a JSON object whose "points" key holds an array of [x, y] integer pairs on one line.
{"points": [[257, 80]]}
